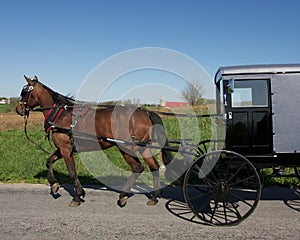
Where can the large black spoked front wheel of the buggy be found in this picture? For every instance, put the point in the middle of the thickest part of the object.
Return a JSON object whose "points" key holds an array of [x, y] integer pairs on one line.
{"points": [[222, 188]]}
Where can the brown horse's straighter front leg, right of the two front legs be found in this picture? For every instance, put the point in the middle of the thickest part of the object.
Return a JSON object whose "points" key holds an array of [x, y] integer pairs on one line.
{"points": [[79, 192]]}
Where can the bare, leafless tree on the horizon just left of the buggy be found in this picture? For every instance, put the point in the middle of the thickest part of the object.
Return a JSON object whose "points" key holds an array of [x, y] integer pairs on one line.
{"points": [[192, 92]]}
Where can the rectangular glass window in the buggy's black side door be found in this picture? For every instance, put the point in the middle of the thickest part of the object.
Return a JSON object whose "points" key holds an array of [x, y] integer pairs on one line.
{"points": [[250, 93]]}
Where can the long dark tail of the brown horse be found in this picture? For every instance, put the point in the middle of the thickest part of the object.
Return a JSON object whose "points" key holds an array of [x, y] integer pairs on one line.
{"points": [[161, 135]]}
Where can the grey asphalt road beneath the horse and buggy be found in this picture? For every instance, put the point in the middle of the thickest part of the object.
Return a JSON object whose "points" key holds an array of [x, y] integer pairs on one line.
{"points": [[30, 212]]}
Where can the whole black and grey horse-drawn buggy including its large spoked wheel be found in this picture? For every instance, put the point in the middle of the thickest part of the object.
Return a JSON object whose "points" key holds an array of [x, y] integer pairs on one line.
{"points": [[259, 107]]}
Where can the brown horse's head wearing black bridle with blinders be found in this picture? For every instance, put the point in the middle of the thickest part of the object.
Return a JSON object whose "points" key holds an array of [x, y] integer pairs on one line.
{"points": [[29, 97]]}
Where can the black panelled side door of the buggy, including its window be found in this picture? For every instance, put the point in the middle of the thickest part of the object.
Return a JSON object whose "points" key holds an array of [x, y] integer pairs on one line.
{"points": [[248, 115]]}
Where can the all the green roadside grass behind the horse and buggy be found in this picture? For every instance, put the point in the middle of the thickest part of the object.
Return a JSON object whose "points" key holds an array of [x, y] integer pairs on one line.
{"points": [[23, 162]]}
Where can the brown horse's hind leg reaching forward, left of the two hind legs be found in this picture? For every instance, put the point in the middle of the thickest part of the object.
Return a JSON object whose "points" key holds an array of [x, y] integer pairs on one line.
{"points": [[137, 168]]}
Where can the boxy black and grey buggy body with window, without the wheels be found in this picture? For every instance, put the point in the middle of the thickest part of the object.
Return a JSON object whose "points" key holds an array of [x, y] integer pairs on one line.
{"points": [[261, 112]]}
